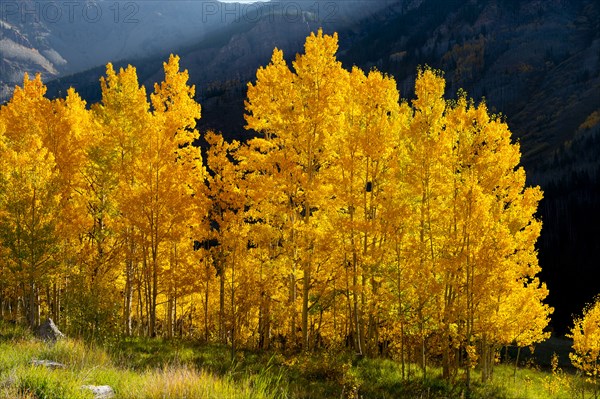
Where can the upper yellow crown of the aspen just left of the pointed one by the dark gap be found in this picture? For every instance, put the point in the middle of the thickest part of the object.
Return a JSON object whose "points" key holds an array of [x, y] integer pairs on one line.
{"points": [[123, 116]]}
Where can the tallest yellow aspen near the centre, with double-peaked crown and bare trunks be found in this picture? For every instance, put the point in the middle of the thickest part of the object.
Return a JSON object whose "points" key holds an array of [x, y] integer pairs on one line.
{"points": [[300, 114]]}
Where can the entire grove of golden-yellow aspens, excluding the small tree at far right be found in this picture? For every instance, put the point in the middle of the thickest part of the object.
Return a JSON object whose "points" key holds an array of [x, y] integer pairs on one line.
{"points": [[353, 218]]}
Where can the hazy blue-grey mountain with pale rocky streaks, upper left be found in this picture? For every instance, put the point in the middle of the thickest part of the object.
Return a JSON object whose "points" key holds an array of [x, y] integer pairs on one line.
{"points": [[61, 38]]}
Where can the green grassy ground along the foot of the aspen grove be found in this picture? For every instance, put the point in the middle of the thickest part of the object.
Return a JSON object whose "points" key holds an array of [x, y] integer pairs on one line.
{"points": [[156, 369]]}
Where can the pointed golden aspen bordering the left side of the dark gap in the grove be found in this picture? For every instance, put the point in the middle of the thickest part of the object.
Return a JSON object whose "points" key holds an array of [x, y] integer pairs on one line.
{"points": [[174, 180]]}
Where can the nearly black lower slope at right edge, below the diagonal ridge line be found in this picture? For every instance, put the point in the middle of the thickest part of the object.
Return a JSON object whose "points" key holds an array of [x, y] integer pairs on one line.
{"points": [[569, 245]]}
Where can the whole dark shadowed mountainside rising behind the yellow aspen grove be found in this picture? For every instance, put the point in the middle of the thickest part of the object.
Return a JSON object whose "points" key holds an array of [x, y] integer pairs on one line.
{"points": [[536, 62]]}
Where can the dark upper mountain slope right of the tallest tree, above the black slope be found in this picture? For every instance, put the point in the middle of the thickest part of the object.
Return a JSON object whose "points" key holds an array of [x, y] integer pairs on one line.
{"points": [[536, 62]]}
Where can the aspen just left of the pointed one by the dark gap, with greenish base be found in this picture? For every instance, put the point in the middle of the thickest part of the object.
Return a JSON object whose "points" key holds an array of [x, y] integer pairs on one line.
{"points": [[106, 234]]}
